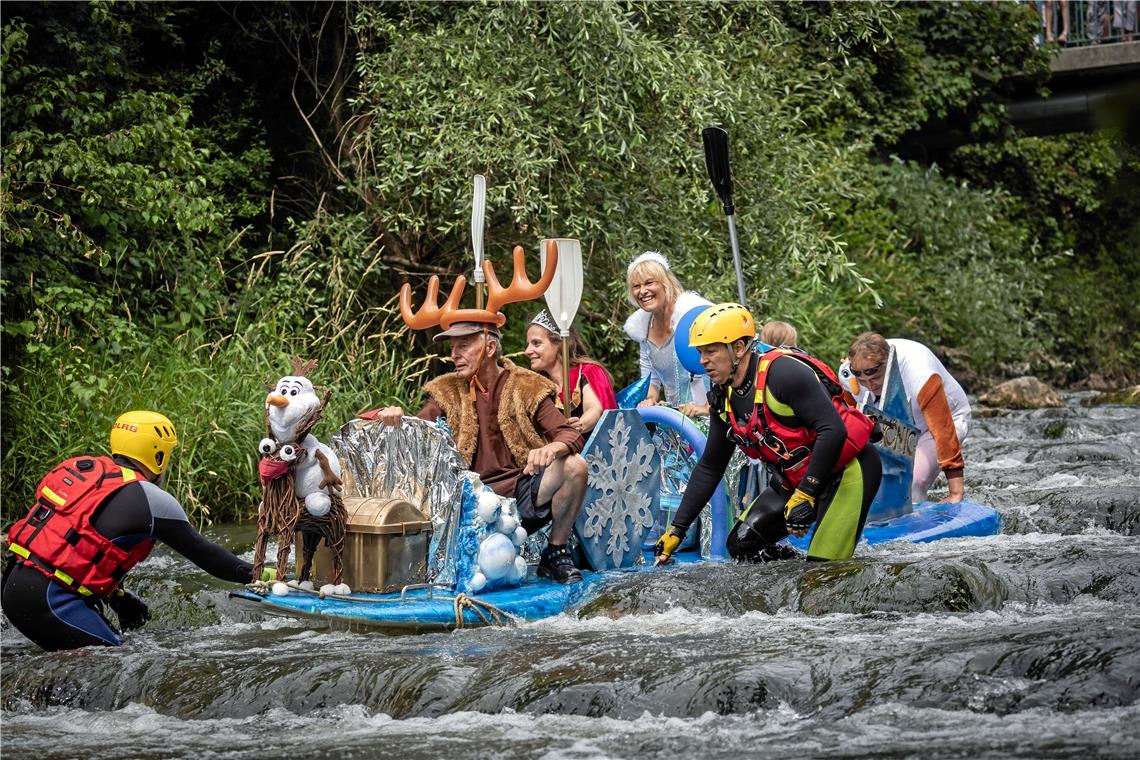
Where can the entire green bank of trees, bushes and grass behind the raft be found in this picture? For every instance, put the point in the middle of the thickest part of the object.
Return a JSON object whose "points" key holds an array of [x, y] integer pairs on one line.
{"points": [[193, 193]]}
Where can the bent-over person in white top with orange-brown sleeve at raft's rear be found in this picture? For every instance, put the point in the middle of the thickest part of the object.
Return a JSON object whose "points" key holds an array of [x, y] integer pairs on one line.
{"points": [[939, 405]]}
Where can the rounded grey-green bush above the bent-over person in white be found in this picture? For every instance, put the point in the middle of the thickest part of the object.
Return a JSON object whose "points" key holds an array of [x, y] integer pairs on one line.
{"points": [[956, 272]]}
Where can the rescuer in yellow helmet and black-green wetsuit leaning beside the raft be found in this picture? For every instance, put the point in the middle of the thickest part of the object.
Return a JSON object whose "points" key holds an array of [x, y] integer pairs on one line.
{"points": [[787, 408]]}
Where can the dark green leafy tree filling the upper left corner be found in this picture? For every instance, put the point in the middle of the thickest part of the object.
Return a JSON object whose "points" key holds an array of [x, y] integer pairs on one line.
{"points": [[118, 208]]}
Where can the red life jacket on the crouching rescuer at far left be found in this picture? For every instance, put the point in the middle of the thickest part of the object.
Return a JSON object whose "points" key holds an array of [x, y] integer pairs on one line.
{"points": [[58, 537]]}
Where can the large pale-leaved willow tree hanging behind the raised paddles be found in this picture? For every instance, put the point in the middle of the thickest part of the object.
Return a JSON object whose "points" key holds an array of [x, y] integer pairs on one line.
{"points": [[587, 120]]}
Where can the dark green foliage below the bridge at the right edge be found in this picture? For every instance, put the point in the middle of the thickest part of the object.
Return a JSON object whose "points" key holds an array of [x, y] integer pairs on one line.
{"points": [[1080, 194]]}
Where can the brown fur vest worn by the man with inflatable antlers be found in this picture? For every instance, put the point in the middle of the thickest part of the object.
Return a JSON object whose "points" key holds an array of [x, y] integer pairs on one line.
{"points": [[522, 396]]}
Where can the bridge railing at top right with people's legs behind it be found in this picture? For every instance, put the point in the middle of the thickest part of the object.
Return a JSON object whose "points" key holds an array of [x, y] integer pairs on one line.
{"points": [[1078, 23]]}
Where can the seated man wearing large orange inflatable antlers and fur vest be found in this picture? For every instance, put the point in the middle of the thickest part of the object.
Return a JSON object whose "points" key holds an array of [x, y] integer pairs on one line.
{"points": [[504, 419]]}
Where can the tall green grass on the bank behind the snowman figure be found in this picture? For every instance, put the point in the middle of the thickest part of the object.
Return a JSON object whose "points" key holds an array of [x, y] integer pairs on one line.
{"points": [[214, 393]]}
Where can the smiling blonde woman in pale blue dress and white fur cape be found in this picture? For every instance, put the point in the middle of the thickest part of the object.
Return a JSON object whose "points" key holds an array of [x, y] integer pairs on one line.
{"points": [[662, 303]]}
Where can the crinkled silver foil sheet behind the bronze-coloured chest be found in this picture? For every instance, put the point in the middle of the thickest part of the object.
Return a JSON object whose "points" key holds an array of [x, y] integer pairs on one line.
{"points": [[417, 461]]}
